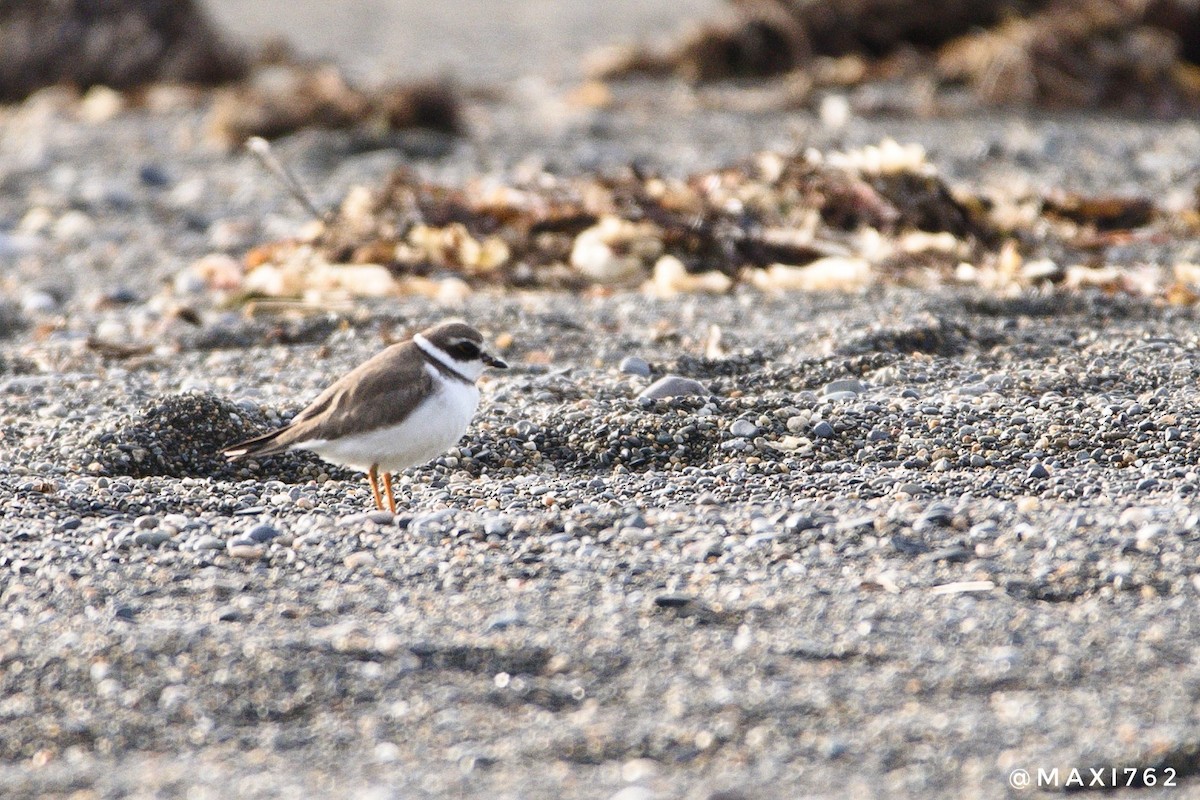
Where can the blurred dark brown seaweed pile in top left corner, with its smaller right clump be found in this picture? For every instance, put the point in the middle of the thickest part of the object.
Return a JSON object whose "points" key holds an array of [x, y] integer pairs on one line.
{"points": [[133, 45]]}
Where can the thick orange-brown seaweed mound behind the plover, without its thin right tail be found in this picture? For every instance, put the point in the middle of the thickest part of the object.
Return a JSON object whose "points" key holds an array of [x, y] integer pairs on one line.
{"points": [[777, 214]]}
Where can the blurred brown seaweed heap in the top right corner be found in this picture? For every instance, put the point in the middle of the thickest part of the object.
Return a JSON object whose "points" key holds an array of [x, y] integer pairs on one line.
{"points": [[1124, 55]]}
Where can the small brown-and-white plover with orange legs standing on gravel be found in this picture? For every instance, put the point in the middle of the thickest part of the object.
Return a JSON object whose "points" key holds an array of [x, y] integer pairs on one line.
{"points": [[399, 410]]}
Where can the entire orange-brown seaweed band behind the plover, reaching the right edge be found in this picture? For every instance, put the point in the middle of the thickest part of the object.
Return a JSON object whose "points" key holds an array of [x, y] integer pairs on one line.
{"points": [[779, 222]]}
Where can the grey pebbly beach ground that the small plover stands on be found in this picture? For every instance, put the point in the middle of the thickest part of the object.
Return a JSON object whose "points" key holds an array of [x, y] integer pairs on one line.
{"points": [[903, 543]]}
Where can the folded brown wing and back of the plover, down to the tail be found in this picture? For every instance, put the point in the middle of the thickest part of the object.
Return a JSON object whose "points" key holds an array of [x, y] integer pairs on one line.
{"points": [[370, 396]]}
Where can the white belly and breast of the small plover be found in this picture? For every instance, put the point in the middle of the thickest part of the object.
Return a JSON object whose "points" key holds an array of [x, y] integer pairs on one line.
{"points": [[433, 429]]}
